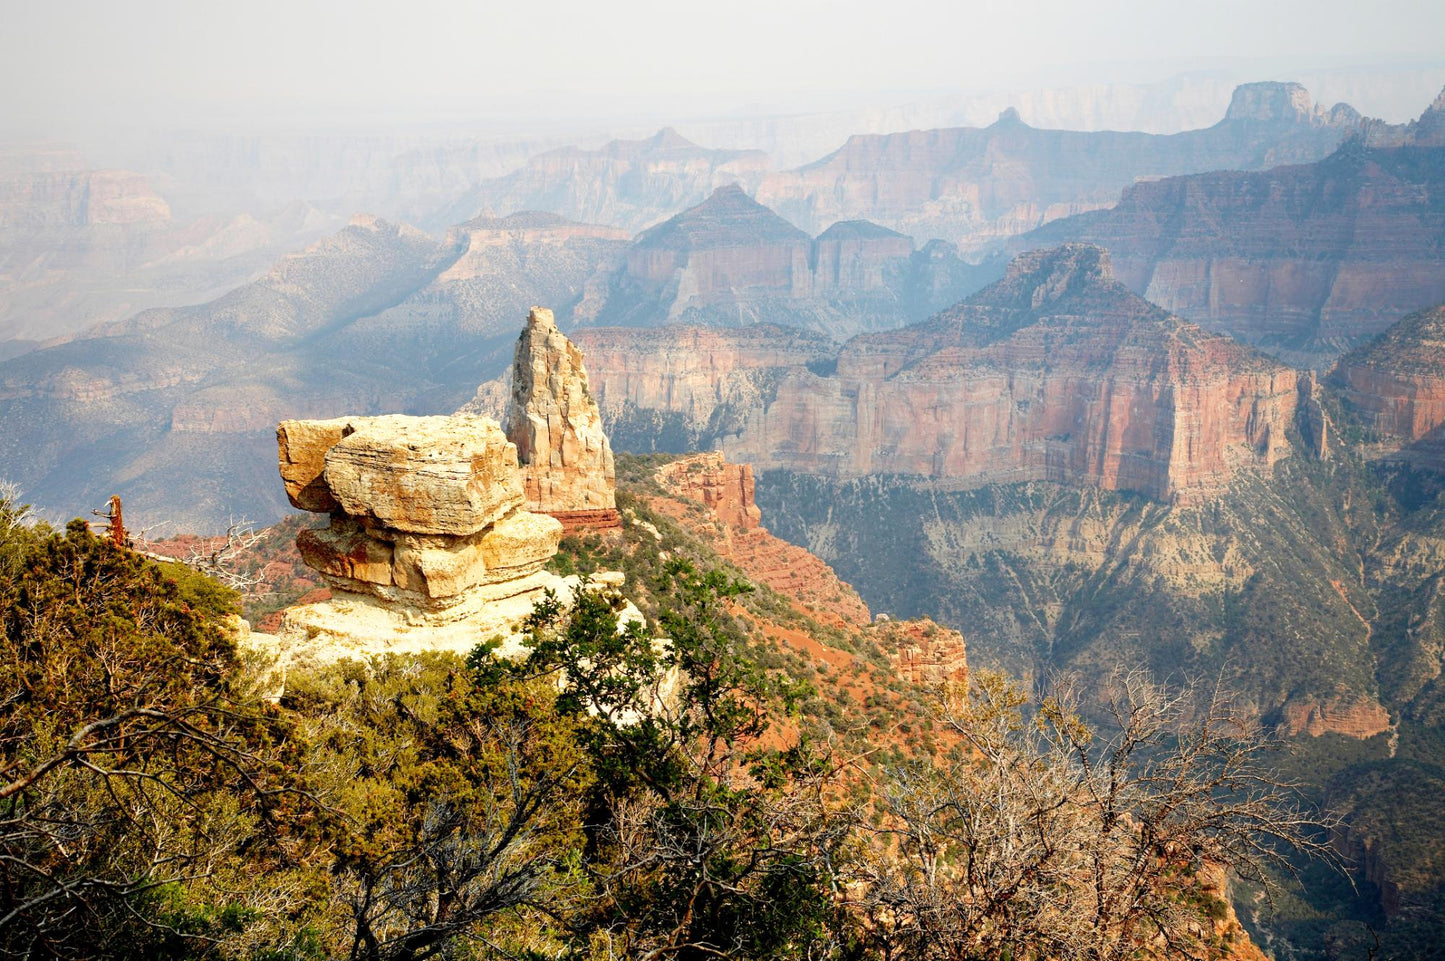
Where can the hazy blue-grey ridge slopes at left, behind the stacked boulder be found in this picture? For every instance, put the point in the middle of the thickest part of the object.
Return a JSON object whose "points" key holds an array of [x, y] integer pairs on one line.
{"points": [[174, 410]]}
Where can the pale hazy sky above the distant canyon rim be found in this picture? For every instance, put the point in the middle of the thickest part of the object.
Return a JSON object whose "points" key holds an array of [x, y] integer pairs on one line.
{"points": [[66, 63]]}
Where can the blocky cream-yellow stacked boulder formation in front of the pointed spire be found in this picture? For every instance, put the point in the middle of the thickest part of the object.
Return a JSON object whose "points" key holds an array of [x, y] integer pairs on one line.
{"points": [[430, 546]]}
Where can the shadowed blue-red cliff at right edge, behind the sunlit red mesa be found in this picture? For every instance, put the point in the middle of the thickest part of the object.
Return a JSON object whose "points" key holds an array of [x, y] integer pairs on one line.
{"points": [[1303, 261]]}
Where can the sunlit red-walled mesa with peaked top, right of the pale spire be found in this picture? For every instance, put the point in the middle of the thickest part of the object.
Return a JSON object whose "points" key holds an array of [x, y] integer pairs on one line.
{"points": [[1054, 374]]}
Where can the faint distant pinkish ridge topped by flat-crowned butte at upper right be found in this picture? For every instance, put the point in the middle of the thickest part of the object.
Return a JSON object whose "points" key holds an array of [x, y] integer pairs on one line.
{"points": [[975, 187]]}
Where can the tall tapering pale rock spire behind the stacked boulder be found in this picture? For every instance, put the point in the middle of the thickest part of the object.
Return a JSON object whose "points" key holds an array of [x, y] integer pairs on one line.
{"points": [[567, 463]]}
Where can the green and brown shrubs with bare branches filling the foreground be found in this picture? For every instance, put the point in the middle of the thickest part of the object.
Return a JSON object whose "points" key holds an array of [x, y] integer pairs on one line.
{"points": [[613, 796]]}
